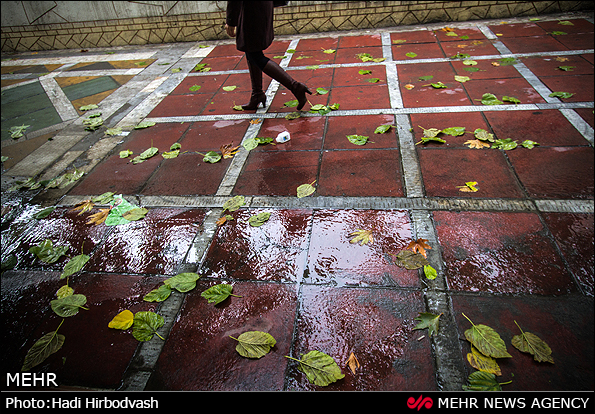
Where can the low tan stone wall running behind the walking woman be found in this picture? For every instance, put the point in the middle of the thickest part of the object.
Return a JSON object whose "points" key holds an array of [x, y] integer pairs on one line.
{"points": [[171, 21]]}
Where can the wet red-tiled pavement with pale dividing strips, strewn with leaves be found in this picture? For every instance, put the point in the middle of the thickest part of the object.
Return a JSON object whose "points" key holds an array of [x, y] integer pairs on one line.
{"points": [[520, 249]]}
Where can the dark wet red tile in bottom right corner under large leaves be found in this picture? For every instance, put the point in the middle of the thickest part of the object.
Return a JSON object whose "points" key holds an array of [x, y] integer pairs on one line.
{"points": [[560, 323]]}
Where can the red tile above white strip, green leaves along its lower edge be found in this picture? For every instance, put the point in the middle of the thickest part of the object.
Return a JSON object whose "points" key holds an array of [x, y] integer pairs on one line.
{"points": [[516, 87]]}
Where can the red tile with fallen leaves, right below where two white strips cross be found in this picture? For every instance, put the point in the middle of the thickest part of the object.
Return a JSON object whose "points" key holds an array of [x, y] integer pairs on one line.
{"points": [[471, 121]]}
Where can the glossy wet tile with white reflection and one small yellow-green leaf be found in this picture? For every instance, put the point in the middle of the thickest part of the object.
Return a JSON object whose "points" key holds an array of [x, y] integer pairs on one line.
{"points": [[332, 258]]}
